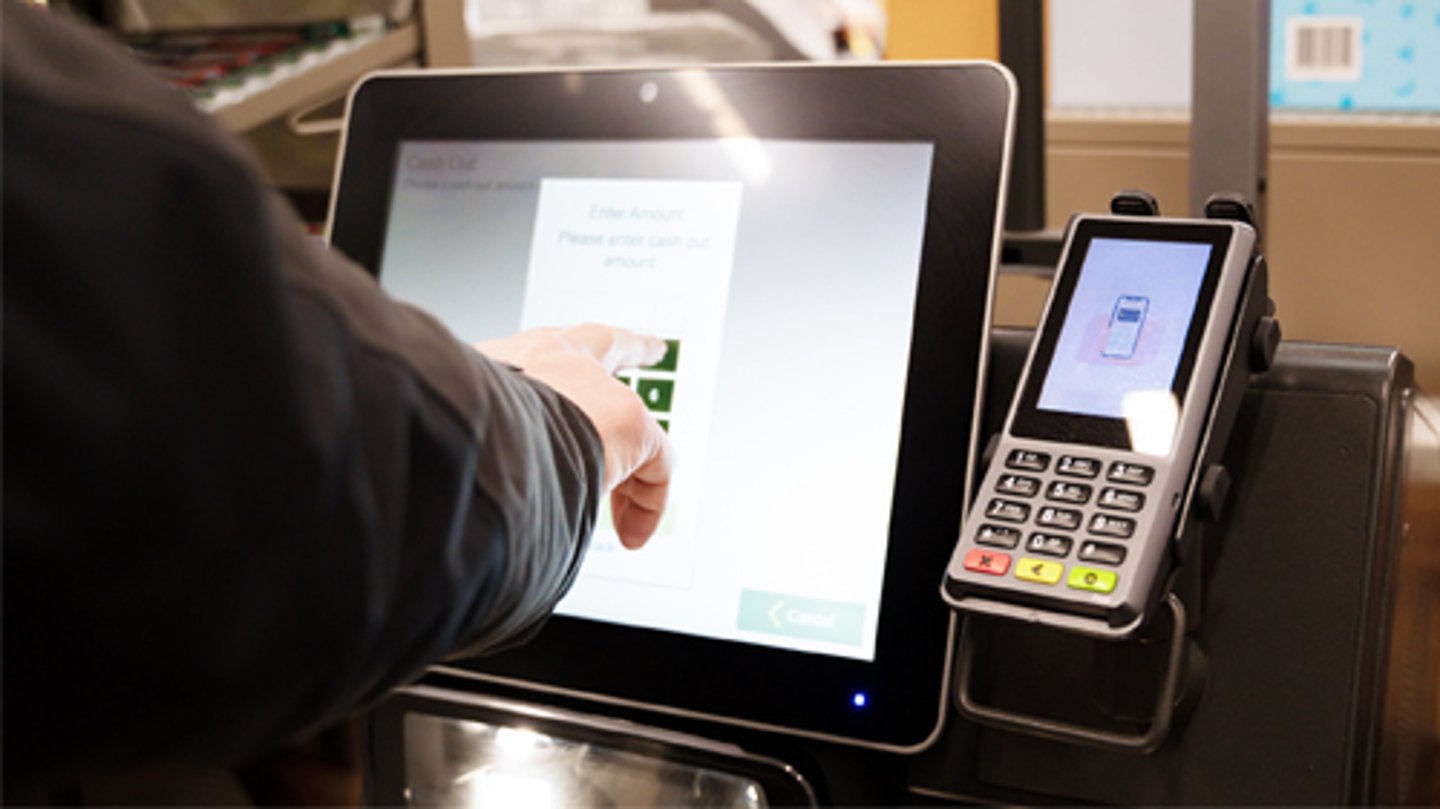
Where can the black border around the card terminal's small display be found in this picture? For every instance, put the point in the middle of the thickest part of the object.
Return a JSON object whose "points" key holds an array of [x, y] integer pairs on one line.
{"points": [[1030, 421]]}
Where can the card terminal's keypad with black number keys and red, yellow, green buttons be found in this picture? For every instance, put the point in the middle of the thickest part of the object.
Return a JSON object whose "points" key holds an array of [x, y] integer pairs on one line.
{"points": [[1071, 522]]}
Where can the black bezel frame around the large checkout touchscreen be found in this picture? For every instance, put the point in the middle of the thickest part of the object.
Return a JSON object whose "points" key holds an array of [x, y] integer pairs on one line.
{"points": [[967, 112]]}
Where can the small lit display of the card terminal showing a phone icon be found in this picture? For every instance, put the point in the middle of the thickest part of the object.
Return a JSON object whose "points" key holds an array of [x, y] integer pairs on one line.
{"points": [[1125, 329]]}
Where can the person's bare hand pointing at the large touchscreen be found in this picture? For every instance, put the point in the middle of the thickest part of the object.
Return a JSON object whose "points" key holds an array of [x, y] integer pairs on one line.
{"points": [[581, 363]]}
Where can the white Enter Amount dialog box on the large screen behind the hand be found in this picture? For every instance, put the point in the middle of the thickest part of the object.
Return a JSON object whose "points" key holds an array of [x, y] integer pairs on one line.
{"points": [[652, 257]]}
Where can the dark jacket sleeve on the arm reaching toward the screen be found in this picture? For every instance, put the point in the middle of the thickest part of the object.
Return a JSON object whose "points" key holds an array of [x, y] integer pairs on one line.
{"points": [[244, 490]]}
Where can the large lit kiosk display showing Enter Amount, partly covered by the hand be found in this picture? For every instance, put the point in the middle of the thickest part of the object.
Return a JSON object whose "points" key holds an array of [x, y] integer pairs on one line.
{"points": [[784, 277]]}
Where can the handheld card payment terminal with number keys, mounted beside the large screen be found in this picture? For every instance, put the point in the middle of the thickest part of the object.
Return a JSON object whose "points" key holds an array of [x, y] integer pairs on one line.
{"points": [[1075, 519]]}
